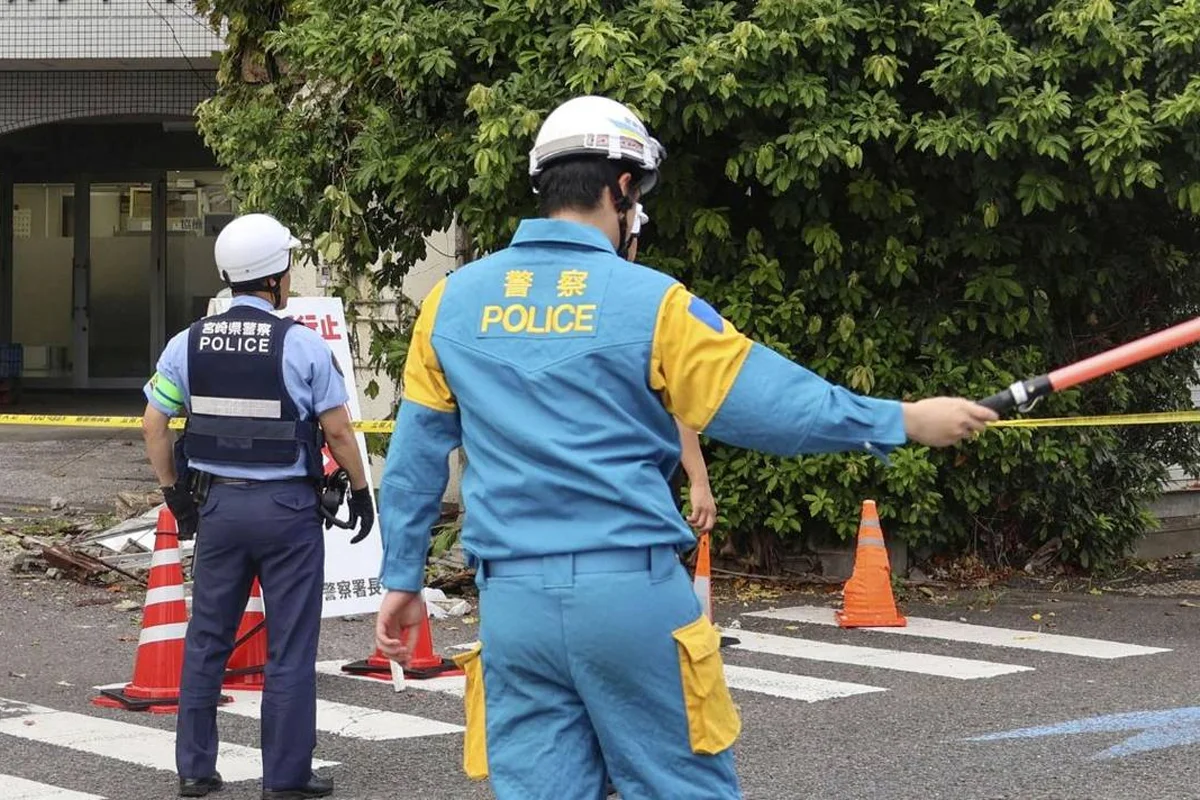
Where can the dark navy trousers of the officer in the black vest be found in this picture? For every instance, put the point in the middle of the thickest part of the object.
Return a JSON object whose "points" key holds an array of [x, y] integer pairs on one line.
{"points": [[271, 531]]}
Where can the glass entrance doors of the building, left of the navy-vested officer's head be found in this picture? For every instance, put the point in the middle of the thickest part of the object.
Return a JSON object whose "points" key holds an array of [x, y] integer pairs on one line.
{"points": [[99, 286]]}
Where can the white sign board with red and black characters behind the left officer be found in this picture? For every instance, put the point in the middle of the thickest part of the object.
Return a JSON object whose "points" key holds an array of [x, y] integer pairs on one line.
{"points": [[352, 572]]}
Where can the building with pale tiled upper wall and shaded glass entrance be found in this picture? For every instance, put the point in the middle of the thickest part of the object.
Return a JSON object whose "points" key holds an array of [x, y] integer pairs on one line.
{"points": [[110, 202]]}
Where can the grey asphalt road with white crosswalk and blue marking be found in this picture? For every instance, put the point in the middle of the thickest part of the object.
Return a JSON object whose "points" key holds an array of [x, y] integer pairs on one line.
{"points": [[913, 737]]}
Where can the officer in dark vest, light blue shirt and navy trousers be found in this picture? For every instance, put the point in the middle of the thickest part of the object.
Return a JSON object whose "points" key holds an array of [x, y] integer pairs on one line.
{"points": [[262, 394]]}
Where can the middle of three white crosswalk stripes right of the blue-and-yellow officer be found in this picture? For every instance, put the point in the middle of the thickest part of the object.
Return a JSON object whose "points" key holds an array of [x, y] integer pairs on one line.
{"points": [[849, 654]]}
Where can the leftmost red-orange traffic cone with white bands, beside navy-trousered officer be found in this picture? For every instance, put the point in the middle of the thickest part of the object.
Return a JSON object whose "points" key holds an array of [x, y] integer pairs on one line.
{"points": [[160, 657]]}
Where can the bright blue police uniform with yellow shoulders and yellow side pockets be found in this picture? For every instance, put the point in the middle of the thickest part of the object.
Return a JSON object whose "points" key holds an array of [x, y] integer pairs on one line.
{"points": [[559, 366]]}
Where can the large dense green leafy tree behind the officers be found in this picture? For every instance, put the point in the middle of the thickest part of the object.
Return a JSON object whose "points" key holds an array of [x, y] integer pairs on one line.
{"points": [[908, 197]]}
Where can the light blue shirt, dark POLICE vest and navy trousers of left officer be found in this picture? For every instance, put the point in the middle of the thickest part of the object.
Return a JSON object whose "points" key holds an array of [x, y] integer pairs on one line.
{"points": [[253, 387]]}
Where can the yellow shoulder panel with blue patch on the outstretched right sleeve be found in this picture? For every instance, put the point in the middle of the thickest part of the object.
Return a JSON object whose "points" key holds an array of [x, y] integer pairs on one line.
{"points": [[693, 364]]}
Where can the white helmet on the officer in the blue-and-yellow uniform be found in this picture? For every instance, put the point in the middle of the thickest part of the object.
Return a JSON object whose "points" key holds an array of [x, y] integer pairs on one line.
{"points": [[599, 127]]}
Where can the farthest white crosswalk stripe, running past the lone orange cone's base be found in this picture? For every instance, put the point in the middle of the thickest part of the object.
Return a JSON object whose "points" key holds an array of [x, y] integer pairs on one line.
{"points": [[1001, 637]]}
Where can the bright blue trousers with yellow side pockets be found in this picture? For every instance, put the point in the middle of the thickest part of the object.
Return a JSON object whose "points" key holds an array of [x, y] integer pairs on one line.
{"points": [[599, 665]]}
